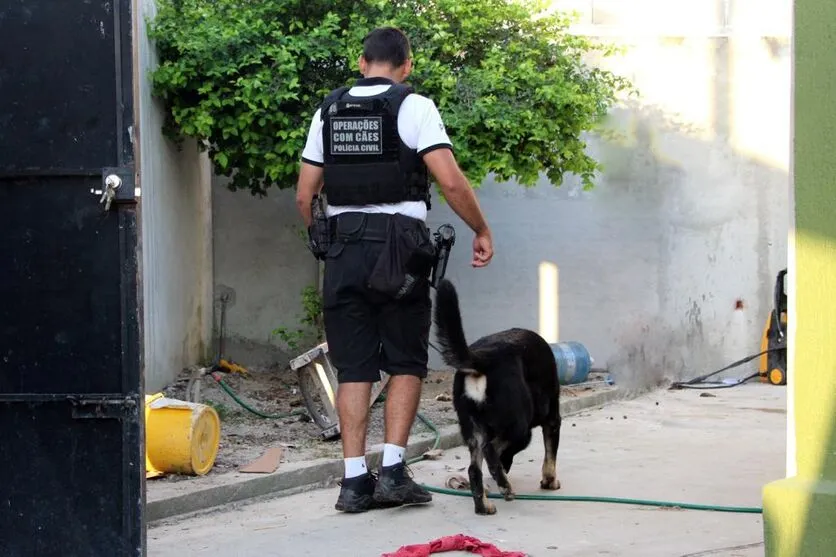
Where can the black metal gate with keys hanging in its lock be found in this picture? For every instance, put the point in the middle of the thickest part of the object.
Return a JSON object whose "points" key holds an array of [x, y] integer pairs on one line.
{"points": [[71, 392]]}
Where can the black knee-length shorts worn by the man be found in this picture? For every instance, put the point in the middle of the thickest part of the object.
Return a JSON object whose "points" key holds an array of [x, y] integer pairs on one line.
{"points": [[368, 331]]}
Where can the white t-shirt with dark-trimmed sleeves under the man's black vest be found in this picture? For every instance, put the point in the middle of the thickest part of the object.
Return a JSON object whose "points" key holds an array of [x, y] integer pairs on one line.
{"points": [[420, 127]]}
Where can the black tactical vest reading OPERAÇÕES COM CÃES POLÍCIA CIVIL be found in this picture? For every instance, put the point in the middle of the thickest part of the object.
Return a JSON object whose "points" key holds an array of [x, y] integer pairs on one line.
{"points": [[365, 160]]}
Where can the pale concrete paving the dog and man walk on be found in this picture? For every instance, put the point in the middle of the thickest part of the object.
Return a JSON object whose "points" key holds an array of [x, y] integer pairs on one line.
{"points": [[674, 446]]}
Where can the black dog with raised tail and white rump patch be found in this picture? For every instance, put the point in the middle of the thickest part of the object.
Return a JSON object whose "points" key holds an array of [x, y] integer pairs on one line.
{"points": [[505, 385]]}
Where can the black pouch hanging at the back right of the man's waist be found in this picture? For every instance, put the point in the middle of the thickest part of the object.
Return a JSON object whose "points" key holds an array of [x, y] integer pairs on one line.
{"points": [[406, 259]]}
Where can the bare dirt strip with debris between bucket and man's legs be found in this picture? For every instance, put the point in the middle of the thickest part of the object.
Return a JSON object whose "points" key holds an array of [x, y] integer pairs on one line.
{"points": [[275, 391]]}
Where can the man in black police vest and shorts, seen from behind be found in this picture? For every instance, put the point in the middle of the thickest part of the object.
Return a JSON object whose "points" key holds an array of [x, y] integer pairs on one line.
{"points": [[370, 150]]}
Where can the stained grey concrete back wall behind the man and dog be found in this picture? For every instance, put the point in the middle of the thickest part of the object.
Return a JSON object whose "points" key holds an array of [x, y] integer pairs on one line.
{"points": [[688, 218]]}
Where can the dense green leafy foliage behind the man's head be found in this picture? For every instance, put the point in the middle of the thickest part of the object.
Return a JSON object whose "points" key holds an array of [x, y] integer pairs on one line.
{"points": [[244, 79]]}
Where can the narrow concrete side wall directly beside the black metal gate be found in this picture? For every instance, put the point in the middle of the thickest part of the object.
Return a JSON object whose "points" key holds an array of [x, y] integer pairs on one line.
{"points": [[176, 222]]}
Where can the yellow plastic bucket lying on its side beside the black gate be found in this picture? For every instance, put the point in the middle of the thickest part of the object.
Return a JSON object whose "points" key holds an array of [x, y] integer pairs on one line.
{"points": [[180, 437]]}
